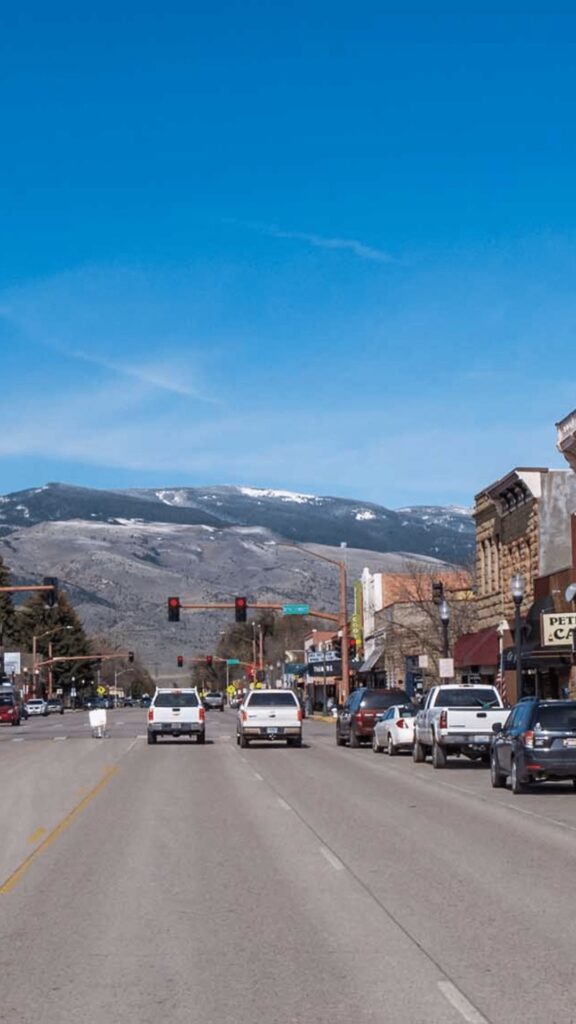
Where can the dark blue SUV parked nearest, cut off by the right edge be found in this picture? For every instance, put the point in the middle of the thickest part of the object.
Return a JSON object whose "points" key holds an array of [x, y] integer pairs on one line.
{"points": [[538, 743]]}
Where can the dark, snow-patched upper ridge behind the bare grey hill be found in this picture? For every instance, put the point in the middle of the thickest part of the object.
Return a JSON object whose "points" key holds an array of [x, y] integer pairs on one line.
{"points": [[445, 533]]}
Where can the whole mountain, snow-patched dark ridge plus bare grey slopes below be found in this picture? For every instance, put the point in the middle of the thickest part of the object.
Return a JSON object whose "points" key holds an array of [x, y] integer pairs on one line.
{"points": [[119, 554]]}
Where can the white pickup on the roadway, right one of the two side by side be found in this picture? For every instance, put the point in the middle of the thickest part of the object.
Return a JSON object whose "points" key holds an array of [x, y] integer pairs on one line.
{"points": [[270, 715]]}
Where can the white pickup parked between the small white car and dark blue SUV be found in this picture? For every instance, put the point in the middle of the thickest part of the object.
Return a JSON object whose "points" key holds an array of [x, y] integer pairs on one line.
{"points": [[457, 719]]}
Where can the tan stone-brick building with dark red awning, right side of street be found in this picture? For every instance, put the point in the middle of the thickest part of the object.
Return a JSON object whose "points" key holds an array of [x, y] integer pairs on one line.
{"points": [[523, 526]]}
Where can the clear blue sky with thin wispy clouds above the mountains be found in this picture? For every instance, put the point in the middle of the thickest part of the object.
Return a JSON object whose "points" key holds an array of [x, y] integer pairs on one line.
{"points": [[323, 247]]}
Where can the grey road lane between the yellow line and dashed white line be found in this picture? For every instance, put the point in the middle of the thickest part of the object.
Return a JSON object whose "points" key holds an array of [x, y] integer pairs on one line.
{"points": [[188, 890]]}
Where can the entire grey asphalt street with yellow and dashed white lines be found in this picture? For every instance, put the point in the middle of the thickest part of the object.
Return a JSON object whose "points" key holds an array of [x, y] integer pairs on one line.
{"points": [[287, 886]]}
